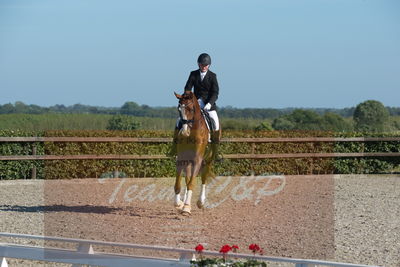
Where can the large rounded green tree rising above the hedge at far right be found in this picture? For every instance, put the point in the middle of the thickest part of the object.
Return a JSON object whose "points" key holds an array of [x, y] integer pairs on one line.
{"points": [[371, 116]]}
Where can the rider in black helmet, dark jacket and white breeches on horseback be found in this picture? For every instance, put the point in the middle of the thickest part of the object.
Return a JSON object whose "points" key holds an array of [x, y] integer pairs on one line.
{"points": [[206, 90]]}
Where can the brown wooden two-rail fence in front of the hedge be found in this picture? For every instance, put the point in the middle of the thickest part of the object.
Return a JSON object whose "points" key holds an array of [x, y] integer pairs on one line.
{"points": [[167, 140]]}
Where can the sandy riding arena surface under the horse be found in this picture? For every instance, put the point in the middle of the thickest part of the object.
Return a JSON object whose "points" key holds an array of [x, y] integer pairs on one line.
{"points": [[342, 218]]}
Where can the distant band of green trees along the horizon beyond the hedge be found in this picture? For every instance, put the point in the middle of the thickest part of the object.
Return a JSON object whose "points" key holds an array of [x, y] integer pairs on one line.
{"points": [[368, 116]]}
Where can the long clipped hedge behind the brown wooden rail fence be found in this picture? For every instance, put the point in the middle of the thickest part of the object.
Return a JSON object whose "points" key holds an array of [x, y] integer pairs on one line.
{"points": [[69, 169]]}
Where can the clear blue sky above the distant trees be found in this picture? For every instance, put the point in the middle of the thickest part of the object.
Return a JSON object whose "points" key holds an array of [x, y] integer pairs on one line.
{"points": [[266, 53]]}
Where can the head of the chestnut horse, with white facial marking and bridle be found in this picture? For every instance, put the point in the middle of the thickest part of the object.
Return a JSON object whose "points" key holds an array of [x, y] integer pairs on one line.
{"points": [[187, 108]]}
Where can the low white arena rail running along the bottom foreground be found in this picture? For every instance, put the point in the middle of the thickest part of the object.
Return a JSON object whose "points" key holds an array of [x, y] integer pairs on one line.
{"points": [[85, 255]]}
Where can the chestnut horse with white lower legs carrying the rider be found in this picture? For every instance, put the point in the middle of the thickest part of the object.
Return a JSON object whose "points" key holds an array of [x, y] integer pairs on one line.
{"points": [[191, 152]]}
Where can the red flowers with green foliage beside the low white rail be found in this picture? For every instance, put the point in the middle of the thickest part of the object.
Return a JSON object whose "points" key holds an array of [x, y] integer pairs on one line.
{"points": [[224, 261]]}
